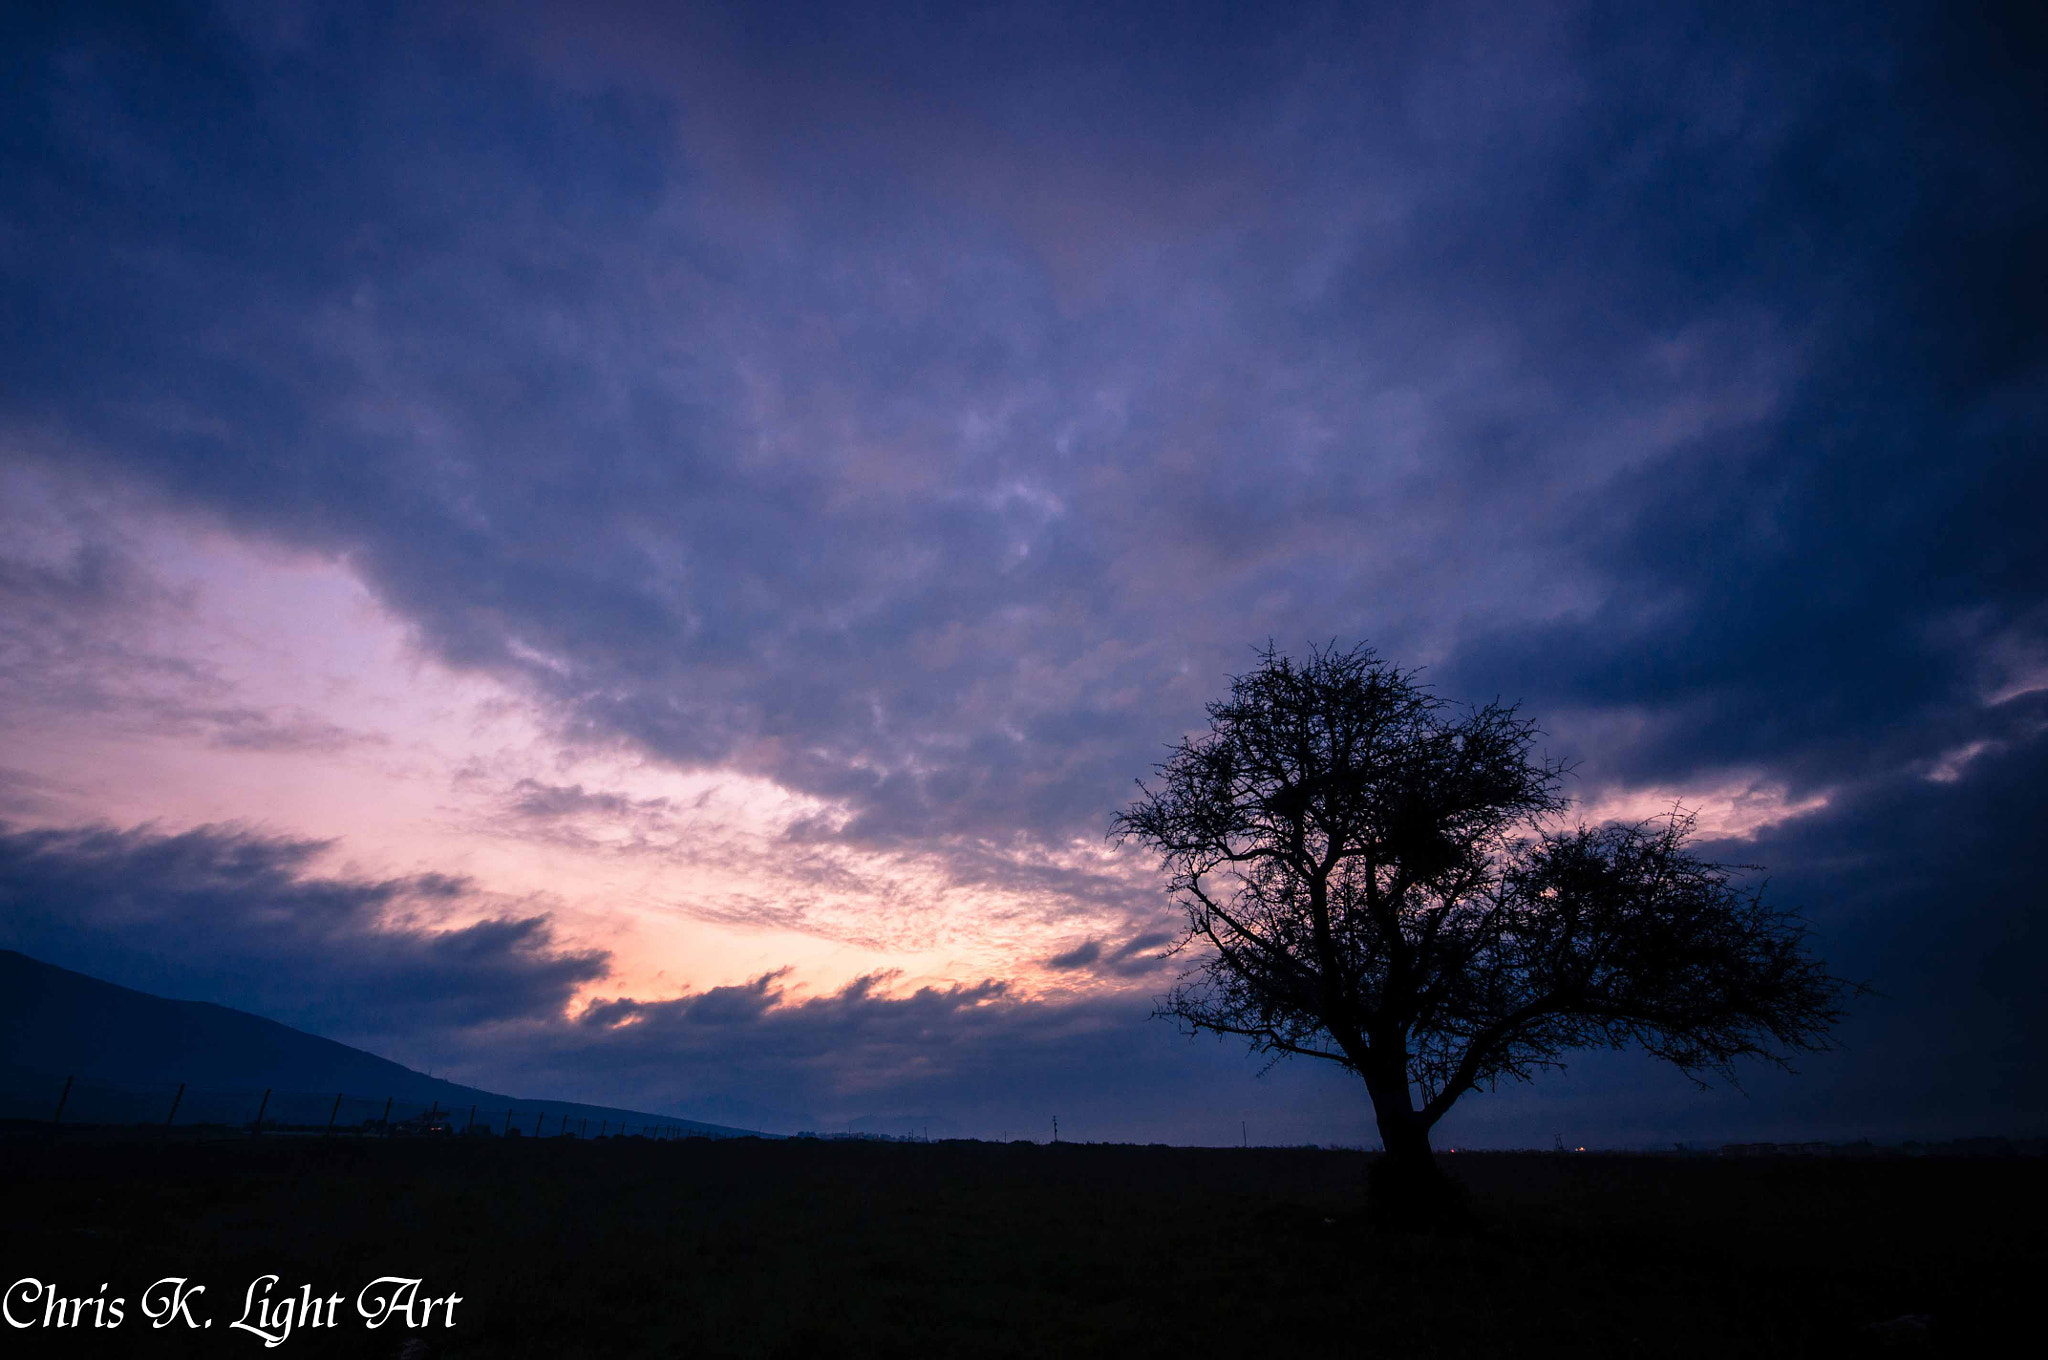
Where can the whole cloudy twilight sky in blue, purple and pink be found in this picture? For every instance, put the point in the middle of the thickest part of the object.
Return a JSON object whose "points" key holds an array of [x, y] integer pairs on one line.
{"points": [[630, 552]]}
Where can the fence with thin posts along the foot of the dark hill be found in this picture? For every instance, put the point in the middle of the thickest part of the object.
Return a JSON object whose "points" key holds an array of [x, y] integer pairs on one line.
{"points": [[286, 1113]]}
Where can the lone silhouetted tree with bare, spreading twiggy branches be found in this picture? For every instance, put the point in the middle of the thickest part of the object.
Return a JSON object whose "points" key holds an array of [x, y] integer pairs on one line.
{"points": [[1373, 876]]}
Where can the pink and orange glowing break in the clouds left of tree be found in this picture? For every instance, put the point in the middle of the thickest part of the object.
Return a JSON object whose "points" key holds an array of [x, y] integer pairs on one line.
{"points": [[300, 708]]}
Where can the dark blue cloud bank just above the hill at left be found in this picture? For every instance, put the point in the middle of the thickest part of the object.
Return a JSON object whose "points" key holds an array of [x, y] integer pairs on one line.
{"points": [[239, 919]]}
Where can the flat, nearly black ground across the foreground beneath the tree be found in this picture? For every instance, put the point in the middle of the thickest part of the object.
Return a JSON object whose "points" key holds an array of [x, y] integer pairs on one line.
{"points": [[757, 1248]]}
